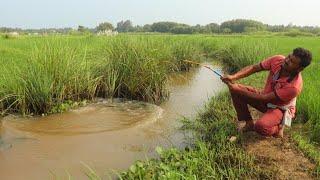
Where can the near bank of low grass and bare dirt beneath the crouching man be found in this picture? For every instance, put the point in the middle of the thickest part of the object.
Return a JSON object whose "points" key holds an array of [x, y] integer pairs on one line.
{"points": [[214, 156]]}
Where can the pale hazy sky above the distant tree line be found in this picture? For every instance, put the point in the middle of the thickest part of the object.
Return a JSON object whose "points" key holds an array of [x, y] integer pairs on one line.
{"points": [[71, 13]]}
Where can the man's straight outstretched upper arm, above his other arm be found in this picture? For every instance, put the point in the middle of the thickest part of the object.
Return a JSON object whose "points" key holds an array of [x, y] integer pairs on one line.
{"points": [[244, 72]]}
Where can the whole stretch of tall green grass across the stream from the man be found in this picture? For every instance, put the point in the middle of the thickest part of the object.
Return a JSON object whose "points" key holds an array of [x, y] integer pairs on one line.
{"points": [[48, 71]]}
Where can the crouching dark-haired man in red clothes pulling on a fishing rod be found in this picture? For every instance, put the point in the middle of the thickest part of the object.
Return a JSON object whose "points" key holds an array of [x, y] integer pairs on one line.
{"points": [[277, 100]]}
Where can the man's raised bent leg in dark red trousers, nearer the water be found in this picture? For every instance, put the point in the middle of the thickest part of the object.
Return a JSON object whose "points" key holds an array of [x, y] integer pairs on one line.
{"points": [[241, 103]]}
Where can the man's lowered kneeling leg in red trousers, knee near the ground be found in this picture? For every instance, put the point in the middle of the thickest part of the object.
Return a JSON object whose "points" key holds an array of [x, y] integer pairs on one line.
{"points": [[269, 123]]}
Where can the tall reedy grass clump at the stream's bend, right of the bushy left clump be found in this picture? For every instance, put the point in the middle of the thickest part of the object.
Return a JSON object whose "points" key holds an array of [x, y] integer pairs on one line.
{"points": [[130, 70]]}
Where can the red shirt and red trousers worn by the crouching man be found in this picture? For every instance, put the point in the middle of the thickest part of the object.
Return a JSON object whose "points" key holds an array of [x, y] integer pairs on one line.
{"points": [[286, 91]]}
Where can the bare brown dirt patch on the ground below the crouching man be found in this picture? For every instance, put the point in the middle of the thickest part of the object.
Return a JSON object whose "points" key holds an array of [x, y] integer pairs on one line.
{"points": [[280, 155]]}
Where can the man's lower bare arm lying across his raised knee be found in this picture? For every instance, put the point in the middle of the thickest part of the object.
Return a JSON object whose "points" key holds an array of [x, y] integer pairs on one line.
{"points": [[259, 97]]}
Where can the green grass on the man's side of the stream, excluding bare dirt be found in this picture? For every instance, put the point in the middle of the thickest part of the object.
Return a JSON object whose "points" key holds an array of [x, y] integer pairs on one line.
{"points": [[212, 156]]}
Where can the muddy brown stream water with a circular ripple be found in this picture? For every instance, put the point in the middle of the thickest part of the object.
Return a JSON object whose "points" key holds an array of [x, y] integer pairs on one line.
{"points": [[109, 134]]}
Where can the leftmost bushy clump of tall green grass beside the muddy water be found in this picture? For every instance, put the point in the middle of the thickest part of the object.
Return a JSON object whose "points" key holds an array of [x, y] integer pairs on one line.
{"points": [[51, 75]]}
